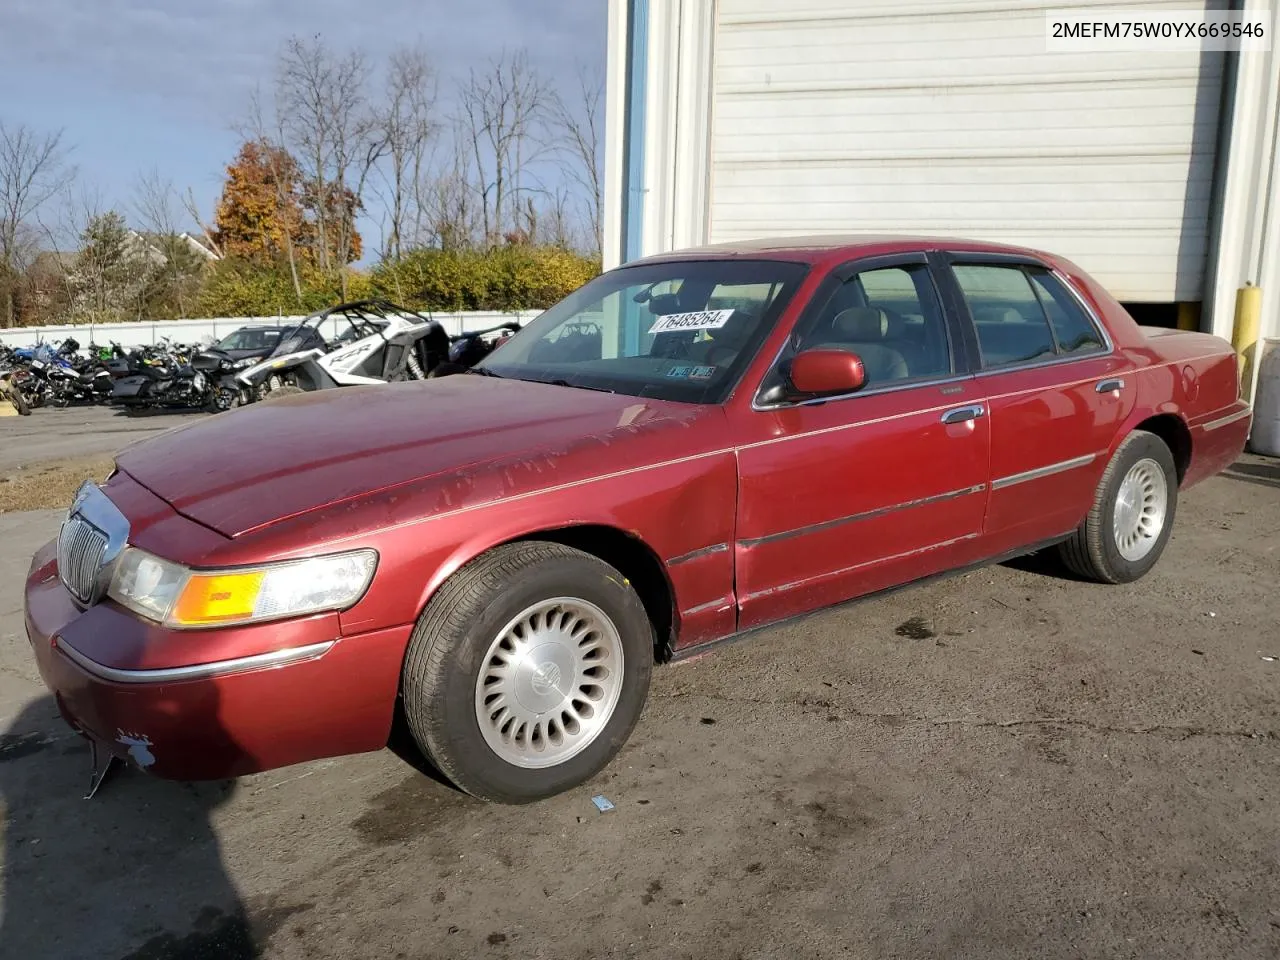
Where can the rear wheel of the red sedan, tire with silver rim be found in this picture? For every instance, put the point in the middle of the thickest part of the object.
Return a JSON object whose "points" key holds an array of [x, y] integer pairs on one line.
{"points": [[1123, 550]]}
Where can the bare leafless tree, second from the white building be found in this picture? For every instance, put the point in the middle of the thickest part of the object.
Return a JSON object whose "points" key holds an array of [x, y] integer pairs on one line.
{"points": [[501, 112]]}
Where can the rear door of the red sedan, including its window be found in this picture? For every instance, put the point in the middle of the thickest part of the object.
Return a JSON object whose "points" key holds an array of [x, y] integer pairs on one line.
{"points": [[1057, 392]]}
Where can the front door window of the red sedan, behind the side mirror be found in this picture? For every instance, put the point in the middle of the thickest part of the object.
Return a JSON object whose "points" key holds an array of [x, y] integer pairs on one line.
{"points": [[892, 319]]}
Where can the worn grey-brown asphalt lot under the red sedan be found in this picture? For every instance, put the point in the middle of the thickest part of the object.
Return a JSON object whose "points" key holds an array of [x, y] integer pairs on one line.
{"points": [[1004, 765]]}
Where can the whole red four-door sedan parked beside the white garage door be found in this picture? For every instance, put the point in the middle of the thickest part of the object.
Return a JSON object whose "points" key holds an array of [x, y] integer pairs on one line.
{"points": [[685, 450]]}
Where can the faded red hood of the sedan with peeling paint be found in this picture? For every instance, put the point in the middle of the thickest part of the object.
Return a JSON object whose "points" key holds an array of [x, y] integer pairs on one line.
{"points": [[276, 460]]}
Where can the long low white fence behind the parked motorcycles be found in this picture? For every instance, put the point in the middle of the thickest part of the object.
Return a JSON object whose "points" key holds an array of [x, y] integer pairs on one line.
{"points": [[216, 328]]}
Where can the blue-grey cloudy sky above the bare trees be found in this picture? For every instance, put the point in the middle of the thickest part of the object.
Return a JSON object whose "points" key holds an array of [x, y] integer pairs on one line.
{"points": [[141, 84]]}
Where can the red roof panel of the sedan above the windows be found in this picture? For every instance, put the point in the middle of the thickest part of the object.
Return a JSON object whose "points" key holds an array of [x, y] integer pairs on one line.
{"points": [[836, 248]]}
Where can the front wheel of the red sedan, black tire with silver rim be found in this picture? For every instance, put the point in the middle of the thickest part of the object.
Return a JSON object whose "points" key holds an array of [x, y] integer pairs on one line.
{"points": [[463, 633]]}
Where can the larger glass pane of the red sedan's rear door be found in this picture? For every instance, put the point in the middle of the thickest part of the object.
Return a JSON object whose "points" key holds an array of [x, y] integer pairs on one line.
{"points": [[1007, 313]]}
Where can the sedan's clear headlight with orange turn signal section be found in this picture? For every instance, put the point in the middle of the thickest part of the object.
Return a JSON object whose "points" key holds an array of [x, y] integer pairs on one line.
{"points": [[184, 598]]}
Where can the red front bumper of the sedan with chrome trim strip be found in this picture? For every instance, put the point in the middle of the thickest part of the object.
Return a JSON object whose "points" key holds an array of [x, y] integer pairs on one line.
{"points": [[216, 703]]}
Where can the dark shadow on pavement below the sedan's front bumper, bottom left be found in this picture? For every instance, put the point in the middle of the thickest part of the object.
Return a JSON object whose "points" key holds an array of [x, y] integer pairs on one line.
{"points": [[134, 875]]}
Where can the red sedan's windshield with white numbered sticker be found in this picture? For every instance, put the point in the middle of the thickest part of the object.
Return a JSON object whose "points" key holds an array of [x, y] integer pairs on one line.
{"points": [[682, 331]]}
